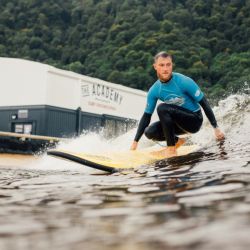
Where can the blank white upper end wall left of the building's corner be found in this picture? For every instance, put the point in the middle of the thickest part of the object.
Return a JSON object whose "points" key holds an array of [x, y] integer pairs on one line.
{"points": [[22, 82]]}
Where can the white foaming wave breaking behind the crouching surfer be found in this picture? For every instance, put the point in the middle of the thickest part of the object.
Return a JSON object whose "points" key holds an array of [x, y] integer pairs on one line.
{"points": [[232, 114]]}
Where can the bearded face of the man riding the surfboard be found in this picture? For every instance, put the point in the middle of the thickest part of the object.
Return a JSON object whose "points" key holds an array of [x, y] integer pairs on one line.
{"points": [[164, 68]]}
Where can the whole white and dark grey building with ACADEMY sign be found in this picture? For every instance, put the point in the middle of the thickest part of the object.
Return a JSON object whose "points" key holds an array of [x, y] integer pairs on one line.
{"points": [[39, 99]]}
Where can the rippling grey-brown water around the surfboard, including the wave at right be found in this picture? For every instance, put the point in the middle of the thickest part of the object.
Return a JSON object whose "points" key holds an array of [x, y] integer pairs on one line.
{"points": [[199, 201]]}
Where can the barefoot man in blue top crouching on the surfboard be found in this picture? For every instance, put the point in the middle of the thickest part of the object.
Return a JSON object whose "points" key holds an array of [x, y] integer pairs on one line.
{"points": [[180, 111]]}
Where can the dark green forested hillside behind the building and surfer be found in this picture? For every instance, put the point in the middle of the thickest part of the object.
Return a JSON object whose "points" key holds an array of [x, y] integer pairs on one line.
{"points": [[115, 40]]}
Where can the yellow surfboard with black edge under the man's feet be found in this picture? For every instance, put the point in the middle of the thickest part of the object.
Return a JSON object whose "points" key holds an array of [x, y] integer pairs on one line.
{"points": [[117, 161]]}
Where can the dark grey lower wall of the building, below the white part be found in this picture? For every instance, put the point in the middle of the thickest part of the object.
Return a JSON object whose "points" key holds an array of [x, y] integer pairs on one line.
{"points": [[59, 122]]}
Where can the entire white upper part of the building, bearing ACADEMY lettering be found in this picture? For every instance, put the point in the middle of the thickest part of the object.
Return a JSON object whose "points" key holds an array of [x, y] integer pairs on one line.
{"points": [[31, 83]]}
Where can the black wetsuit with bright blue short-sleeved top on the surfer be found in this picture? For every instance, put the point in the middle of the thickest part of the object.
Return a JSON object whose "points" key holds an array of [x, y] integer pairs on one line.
{"points": [[179, 113]]}
